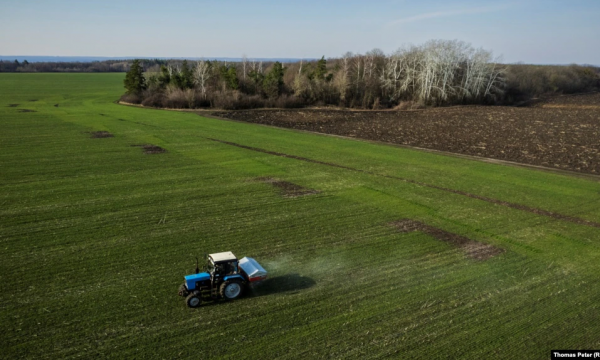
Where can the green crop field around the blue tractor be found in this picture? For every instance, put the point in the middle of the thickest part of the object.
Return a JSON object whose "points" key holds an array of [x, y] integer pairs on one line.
{"points": [[96, 236]]}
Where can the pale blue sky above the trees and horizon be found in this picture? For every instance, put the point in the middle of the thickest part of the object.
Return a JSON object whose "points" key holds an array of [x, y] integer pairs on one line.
{"points": [[532, 31]]}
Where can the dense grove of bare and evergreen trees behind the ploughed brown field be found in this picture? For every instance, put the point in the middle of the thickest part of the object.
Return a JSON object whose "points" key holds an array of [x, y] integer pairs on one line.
{"points": [[436, 73]]}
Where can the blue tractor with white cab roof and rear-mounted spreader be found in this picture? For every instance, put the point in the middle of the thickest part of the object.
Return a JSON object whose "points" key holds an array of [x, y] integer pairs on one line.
{"points": [[224, 278]]}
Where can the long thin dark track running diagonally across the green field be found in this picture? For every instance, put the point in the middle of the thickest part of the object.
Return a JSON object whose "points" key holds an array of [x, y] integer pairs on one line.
{"points": [[525, 208]]}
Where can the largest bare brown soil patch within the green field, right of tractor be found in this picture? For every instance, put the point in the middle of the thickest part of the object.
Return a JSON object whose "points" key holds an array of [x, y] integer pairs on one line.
{"points": [[473, 249]]}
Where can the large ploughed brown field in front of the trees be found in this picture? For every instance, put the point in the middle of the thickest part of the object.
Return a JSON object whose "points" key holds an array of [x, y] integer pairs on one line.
{"points": [[565, 134]]}
